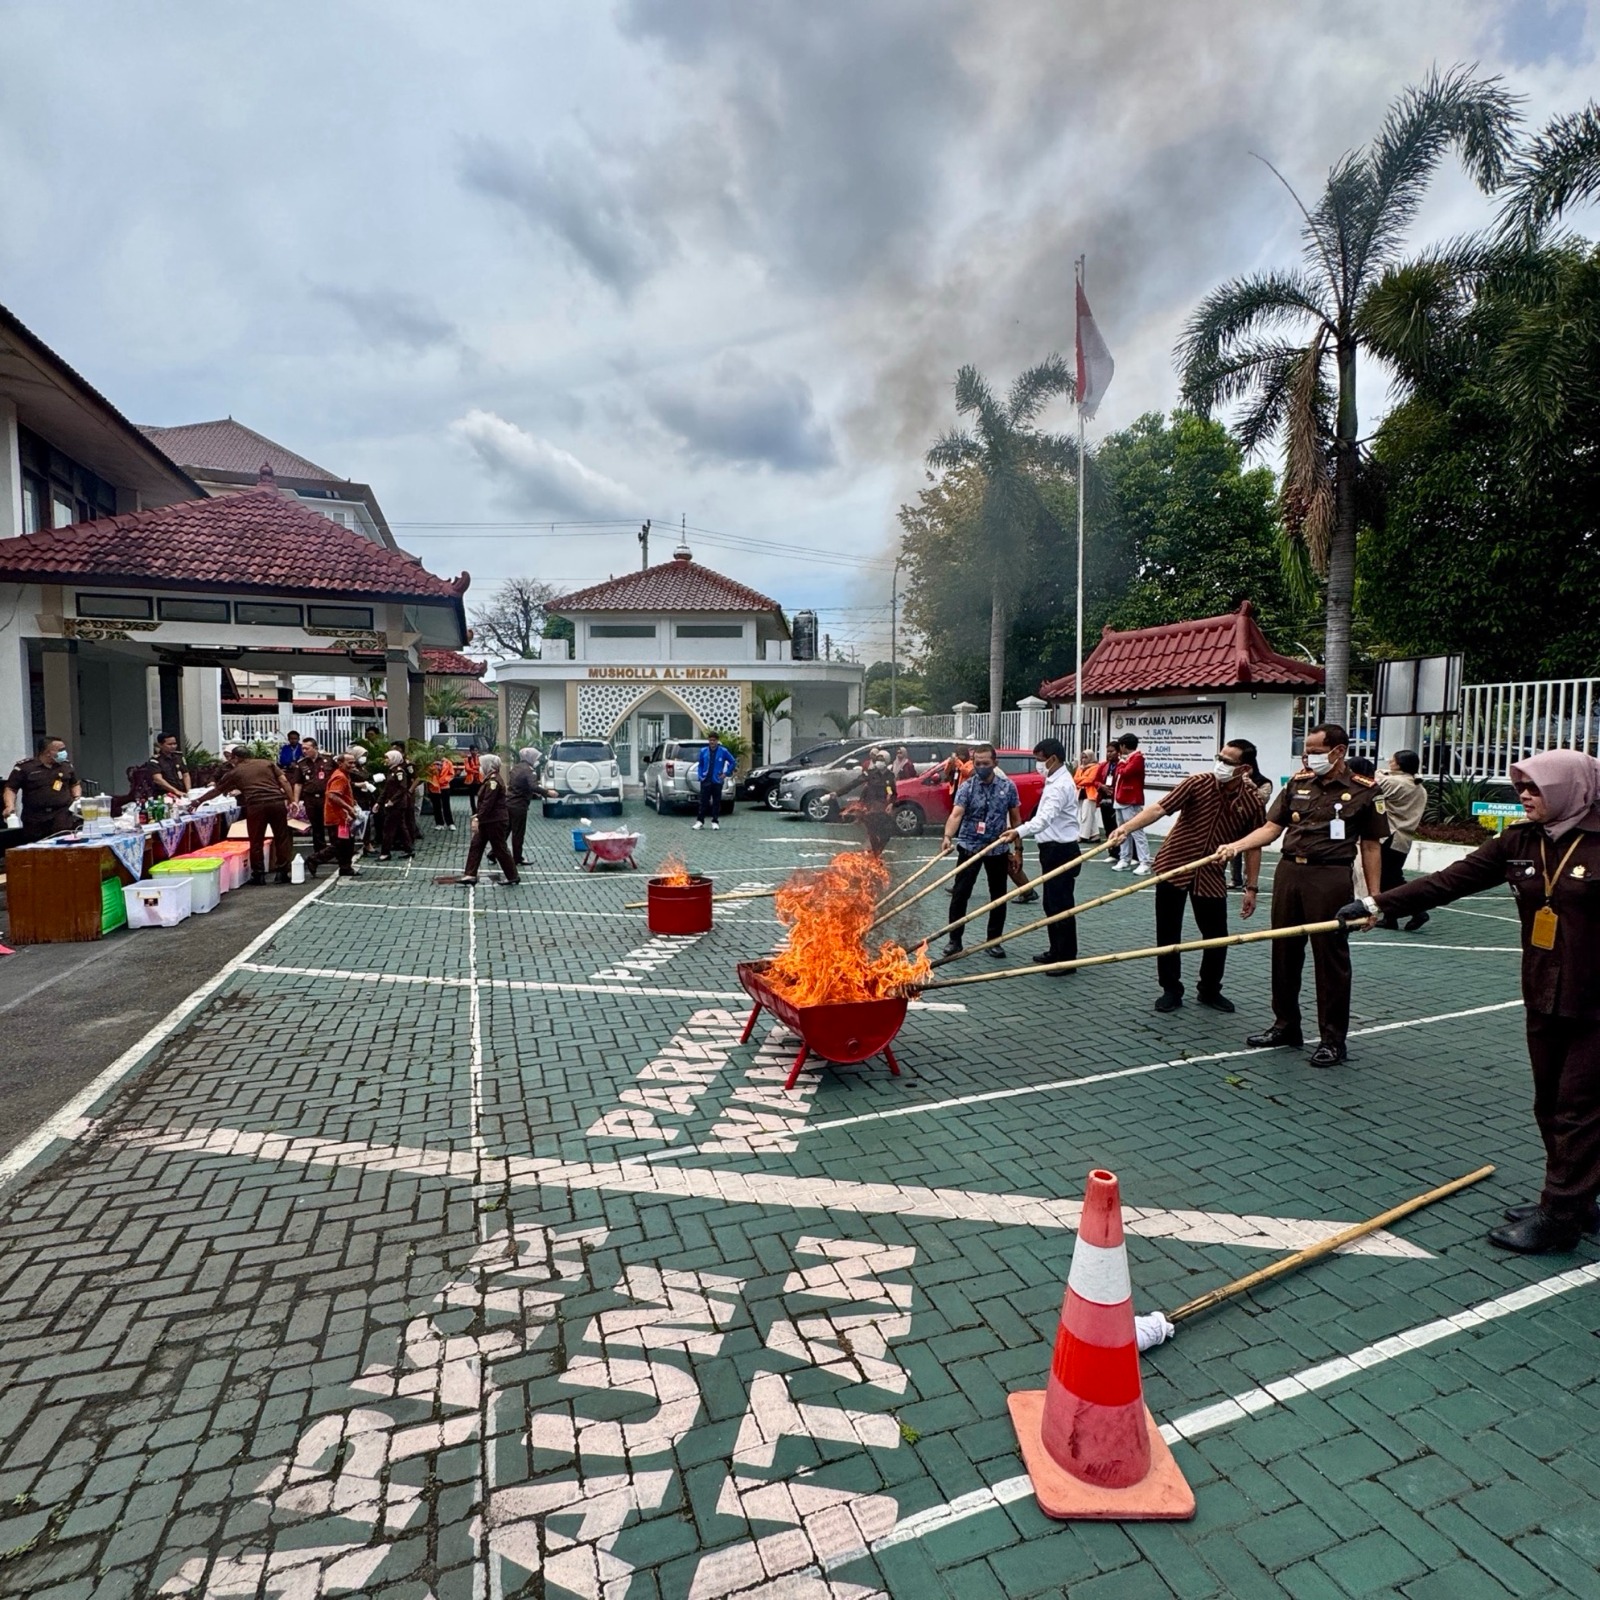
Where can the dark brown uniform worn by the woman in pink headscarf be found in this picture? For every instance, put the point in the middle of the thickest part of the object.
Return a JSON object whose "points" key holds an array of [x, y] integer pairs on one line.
{"points": [[1561, 988]]}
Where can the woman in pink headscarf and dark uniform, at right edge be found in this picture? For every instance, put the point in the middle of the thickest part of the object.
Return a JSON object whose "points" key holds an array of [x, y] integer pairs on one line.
{"points": [[1551, 863]]}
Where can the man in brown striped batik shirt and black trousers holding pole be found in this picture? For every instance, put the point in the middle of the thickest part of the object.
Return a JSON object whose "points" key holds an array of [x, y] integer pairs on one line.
{"points": [[1212, 809]]}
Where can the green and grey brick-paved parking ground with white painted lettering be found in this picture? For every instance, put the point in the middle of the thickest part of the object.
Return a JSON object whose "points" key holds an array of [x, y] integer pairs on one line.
{"points": [[370, 1284]]}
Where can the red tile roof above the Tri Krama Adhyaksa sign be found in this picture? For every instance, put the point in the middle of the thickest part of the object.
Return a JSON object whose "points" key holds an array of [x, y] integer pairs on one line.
{"points": [[1212, 654]]}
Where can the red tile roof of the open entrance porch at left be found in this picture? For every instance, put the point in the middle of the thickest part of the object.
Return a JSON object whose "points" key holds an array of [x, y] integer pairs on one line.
{"points": [[262, 540]]}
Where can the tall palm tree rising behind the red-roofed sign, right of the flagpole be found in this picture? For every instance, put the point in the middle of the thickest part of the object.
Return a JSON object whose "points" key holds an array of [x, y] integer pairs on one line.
{"points": [[1242, 345]]}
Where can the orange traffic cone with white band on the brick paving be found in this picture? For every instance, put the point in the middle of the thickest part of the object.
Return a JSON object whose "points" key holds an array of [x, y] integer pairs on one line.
{"points": [[1089, 1441]]}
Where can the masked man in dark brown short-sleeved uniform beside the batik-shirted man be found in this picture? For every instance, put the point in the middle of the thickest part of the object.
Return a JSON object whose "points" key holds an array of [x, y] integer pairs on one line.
{"points": [[1327, 814]]}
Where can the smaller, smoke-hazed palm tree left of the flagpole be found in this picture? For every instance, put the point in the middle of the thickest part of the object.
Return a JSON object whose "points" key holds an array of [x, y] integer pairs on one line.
{"points": [[1012, 457]]}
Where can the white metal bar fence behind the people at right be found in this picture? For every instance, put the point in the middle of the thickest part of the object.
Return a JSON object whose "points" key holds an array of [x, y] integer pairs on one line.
{"points": [[1500, 724]]}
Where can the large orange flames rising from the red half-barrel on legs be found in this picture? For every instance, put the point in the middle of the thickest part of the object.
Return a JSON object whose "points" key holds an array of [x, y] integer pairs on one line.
{"points": [[828, 914]]}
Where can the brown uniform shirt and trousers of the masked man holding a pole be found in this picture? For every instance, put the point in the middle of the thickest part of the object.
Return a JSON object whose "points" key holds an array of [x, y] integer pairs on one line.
{"points": [[1313, 884]]}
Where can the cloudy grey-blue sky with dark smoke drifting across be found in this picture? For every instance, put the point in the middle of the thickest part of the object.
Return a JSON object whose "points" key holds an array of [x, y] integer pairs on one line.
{"points": [[575, 263]]}
